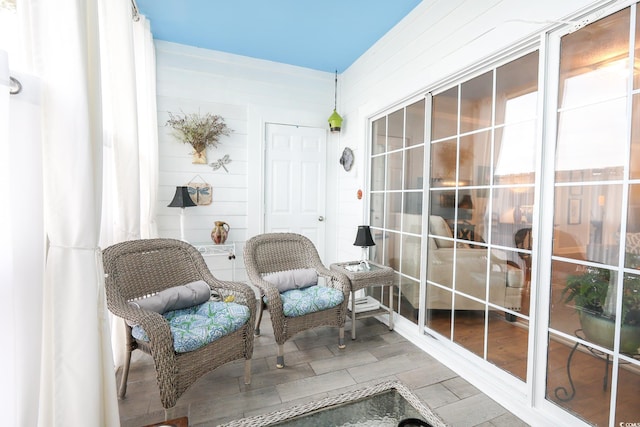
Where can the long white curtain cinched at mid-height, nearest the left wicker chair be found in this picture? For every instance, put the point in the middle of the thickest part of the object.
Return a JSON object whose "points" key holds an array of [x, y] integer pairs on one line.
{"points": [[77, 384]]}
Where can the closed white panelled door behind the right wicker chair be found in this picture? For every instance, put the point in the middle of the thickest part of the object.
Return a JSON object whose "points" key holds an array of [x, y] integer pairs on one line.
{"points": [[294, 190]]}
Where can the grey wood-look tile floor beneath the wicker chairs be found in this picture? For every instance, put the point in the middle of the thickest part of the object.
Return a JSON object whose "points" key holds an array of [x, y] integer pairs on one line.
{"points": [[315, 368]]}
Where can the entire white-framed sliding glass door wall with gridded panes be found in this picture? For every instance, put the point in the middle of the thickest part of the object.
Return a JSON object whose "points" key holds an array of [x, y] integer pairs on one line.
{"points": [[531, 217]]}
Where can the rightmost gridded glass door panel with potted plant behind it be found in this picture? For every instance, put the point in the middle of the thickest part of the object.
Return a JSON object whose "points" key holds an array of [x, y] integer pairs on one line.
{"points": [[594, 314]]}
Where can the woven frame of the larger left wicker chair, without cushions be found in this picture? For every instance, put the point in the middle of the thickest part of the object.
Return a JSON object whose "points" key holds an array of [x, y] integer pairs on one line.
{"points": [[140, 268]]}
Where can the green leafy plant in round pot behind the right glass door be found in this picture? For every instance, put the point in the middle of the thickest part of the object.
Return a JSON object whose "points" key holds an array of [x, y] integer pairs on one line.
{"points": [[589, 292]]}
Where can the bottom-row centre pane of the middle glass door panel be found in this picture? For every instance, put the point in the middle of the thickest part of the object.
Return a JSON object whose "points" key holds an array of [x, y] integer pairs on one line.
{"points": [[468, 325]]}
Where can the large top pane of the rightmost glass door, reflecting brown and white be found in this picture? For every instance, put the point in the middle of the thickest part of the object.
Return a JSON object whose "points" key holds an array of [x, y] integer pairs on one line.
{"points": [[594, 62]]}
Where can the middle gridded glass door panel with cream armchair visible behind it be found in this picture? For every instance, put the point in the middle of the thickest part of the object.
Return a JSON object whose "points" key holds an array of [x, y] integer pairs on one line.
{"points": [[481, 197]]}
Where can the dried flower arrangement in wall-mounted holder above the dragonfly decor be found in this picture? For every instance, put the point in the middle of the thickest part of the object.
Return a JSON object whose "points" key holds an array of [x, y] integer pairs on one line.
{"points": [[198, 130]]}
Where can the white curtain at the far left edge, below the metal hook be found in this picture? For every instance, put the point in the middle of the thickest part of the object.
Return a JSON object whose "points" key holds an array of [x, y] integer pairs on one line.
{"points": [[22, 251]]}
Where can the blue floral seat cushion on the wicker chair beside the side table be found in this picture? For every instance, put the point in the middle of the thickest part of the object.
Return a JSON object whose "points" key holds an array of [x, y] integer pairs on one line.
{"points": [[298, 302]]}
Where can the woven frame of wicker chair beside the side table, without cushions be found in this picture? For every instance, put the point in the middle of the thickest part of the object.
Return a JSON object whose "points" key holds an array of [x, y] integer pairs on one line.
{"points": [[275, 252]]}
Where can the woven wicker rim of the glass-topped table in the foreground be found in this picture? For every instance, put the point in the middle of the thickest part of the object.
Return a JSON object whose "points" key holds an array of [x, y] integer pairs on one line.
{"points": [[345, 398]]}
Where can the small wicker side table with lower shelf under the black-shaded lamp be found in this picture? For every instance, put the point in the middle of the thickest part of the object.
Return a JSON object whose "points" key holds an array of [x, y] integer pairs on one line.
{"points": [[360, 278]]}
